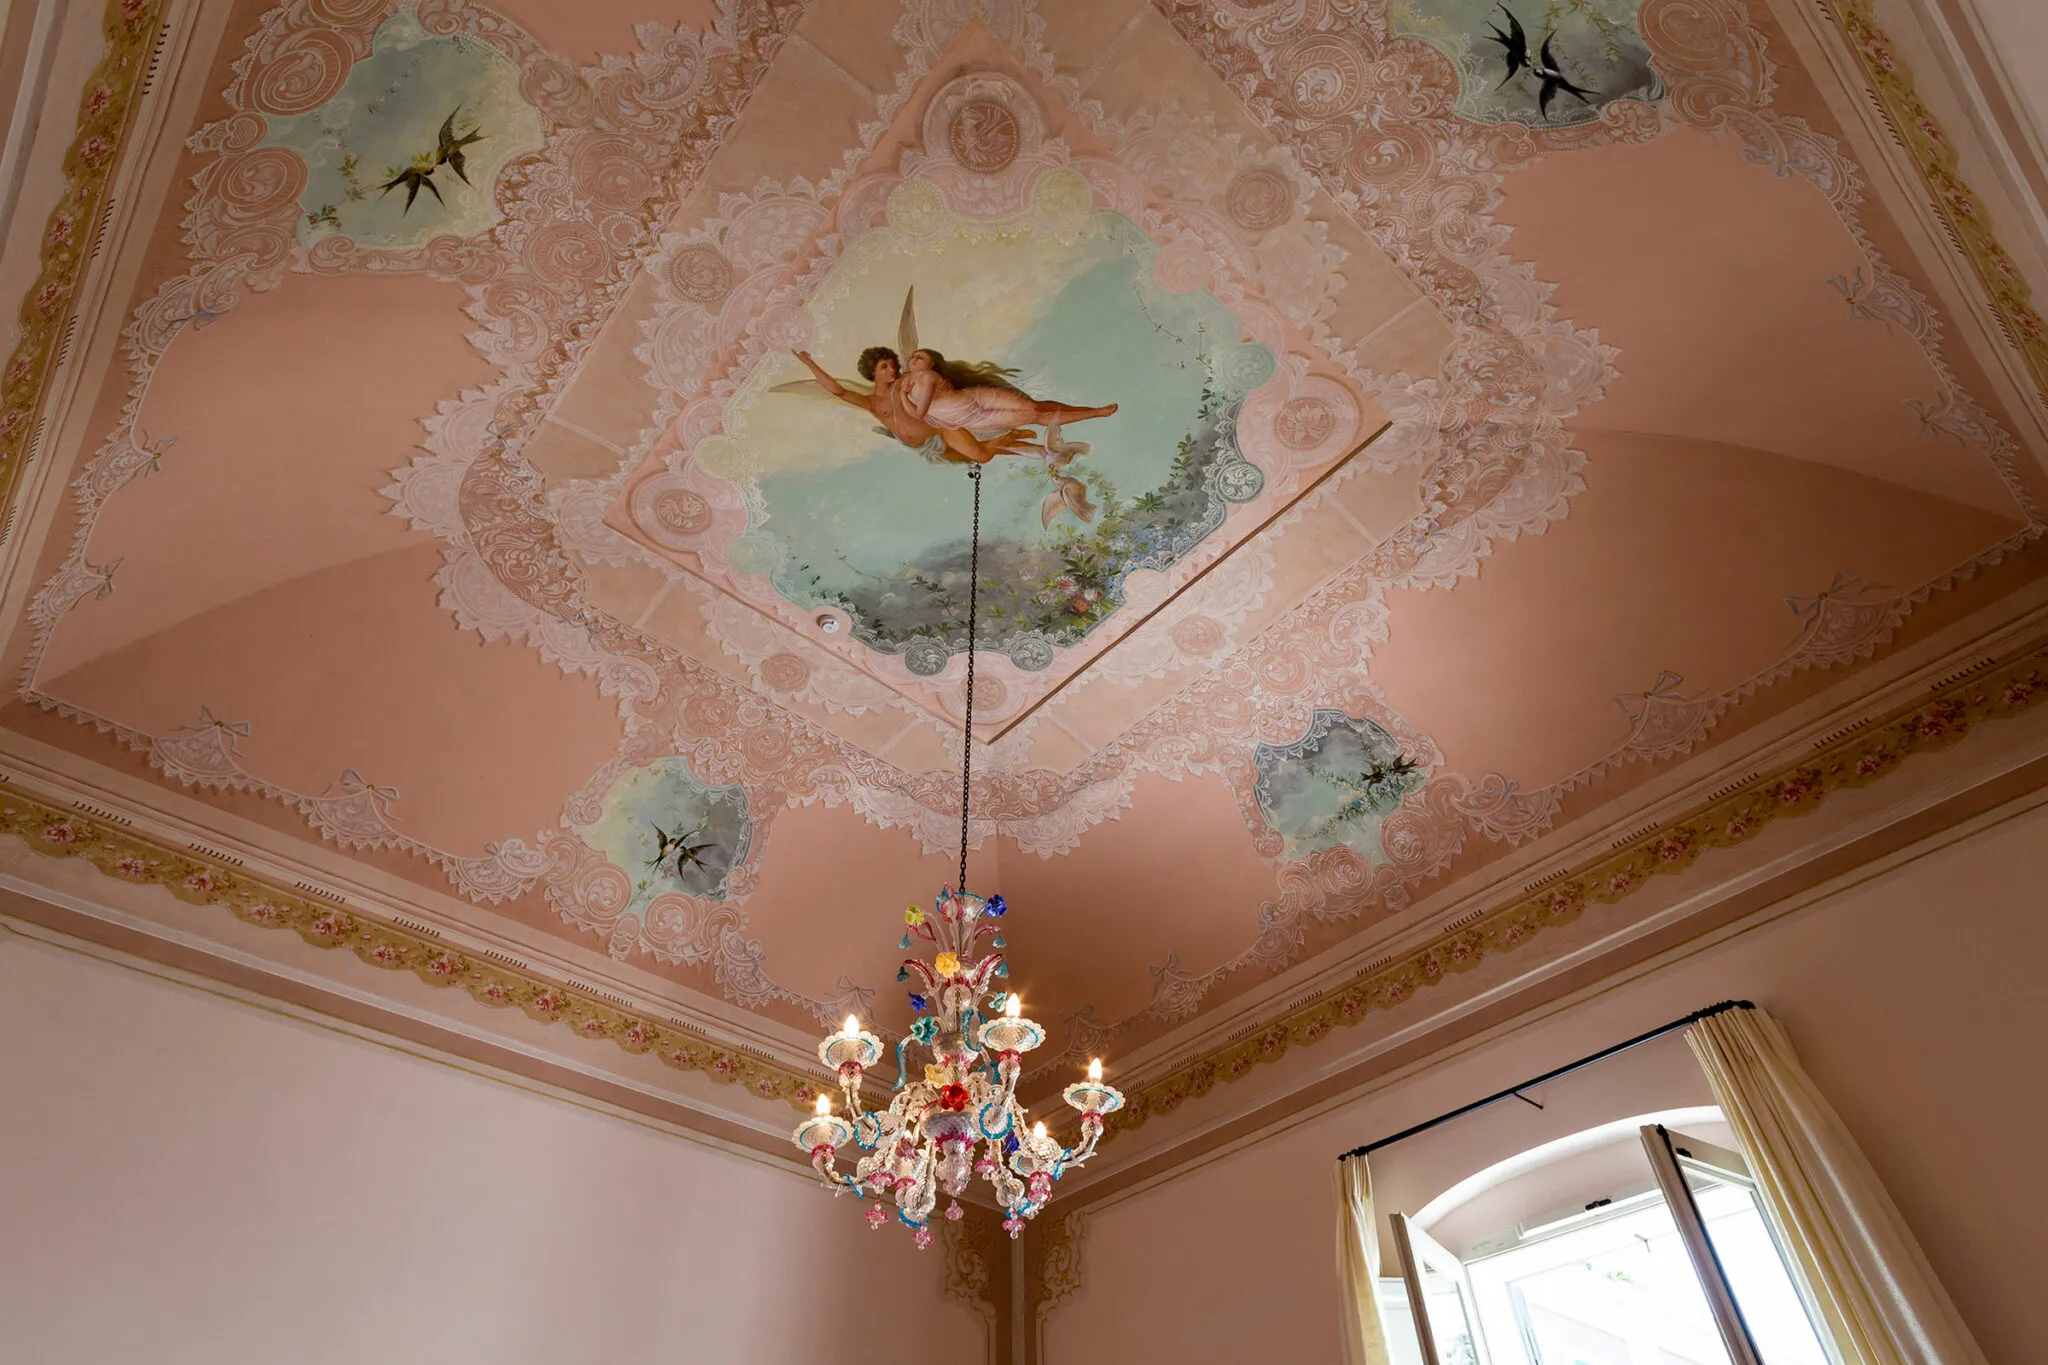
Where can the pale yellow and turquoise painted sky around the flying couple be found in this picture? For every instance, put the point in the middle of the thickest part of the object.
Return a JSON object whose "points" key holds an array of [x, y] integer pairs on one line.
{"points": [[1076, 314]]}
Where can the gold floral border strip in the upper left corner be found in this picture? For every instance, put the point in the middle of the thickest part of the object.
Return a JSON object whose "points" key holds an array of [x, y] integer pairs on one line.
{"points": [[105, 112]]}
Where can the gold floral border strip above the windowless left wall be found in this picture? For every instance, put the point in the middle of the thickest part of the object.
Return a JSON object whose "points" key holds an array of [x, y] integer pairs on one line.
{"points": [[132, 858]]}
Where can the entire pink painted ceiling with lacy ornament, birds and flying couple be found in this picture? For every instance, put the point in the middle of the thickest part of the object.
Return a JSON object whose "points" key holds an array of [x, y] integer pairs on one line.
{"points": [[538, 466]]}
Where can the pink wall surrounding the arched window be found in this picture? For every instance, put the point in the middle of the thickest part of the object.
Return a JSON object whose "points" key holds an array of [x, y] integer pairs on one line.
{"points": [[1914, 1000]]}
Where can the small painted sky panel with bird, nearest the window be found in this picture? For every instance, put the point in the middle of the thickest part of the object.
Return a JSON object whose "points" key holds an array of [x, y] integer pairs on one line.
{"points": [[1334, 785]]}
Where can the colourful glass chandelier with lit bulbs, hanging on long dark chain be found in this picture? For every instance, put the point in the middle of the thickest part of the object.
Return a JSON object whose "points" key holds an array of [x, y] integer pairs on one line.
{"points": [[959, 1116]]}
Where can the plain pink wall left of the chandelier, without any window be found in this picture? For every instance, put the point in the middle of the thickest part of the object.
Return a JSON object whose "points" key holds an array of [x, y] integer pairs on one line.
{"points": [[191, 1180]]}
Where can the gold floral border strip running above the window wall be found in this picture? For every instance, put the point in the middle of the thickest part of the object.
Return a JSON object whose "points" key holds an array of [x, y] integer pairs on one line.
{"points": [[1996, 691]]}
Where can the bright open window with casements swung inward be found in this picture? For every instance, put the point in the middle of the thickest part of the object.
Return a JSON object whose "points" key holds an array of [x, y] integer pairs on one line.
{"points": [[1676, 1268]]}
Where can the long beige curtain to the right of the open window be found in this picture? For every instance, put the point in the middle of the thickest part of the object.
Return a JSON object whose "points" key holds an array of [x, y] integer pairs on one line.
{"points": [[1867, 1274]]}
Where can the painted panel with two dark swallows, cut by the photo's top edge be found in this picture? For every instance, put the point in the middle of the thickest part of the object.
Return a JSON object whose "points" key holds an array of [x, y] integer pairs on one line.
{"points": [[1537, 62]]}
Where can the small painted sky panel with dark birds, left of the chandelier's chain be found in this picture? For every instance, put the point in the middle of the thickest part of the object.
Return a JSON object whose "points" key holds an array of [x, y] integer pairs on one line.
{"points": [[671, 832]]}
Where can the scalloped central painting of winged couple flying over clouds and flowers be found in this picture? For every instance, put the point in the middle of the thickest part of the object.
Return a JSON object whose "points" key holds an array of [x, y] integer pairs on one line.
{"points": [[1099, 404]]}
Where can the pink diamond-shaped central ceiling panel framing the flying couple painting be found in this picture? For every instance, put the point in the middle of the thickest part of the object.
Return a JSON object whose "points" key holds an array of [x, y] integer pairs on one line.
{"points": [[996, 300]]}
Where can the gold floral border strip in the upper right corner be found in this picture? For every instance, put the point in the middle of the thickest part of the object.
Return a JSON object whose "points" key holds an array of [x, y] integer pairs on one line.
{"points": [[1963, 212]]}
